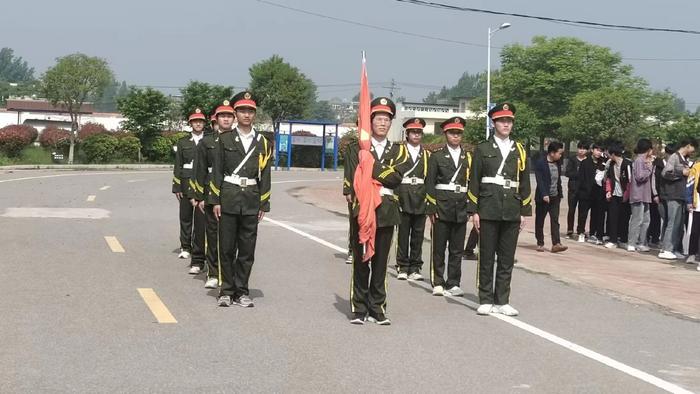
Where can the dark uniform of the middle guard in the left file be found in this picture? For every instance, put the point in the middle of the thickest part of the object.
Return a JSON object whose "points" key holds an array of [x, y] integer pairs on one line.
{"points": [[204, 163]]}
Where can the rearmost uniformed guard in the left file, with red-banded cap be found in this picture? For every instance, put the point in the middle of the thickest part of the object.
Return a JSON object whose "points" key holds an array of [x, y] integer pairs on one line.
{"points": [[191, 220]]}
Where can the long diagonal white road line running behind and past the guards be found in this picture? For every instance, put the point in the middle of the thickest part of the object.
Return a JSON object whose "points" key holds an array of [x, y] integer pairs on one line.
{"points": [[624, 368]]}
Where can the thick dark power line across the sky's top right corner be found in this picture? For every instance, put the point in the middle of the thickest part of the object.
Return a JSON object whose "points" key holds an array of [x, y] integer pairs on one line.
{"points": [[548, 19]]}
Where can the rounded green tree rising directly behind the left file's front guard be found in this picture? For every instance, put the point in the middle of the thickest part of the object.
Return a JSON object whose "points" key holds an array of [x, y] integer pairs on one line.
{"points": [[282, 90]]}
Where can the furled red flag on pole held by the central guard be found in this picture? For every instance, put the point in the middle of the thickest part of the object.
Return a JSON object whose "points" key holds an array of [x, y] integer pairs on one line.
{"points": [[366, 188]]}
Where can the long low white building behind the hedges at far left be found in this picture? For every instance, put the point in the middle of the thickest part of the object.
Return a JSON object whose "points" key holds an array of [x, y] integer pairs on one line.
{"points": [[40, 114]]}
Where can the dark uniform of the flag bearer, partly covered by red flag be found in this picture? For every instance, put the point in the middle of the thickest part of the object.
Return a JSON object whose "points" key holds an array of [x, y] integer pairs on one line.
{"points": [[368, 287]]}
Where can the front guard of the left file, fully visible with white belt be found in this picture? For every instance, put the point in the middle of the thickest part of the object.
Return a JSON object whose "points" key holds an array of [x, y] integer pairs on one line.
{"points": [[240, 193]]}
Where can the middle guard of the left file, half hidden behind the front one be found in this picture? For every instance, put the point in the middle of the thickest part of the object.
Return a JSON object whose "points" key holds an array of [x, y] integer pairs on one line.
{"points": [[206, 152]]}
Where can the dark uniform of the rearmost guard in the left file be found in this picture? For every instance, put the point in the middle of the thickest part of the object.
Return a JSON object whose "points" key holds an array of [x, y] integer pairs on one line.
{"points": [[191, 220]]}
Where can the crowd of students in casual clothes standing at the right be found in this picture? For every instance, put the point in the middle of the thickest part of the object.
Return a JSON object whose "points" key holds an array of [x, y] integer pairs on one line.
{"points": [[642, 202]]}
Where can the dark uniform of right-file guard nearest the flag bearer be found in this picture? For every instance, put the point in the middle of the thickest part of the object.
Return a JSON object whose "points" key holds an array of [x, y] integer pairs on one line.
{"points": [[412, 204]]}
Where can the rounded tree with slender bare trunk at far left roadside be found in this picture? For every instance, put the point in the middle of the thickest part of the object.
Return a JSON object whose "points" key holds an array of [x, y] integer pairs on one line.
{"points": [[71, 81]]}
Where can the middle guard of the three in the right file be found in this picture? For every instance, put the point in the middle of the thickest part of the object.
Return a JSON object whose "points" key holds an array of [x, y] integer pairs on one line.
{"points": [[446, 184]]}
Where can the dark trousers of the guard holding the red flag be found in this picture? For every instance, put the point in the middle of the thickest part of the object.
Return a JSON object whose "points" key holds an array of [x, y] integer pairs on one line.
{"points": [[368, 287]]}
